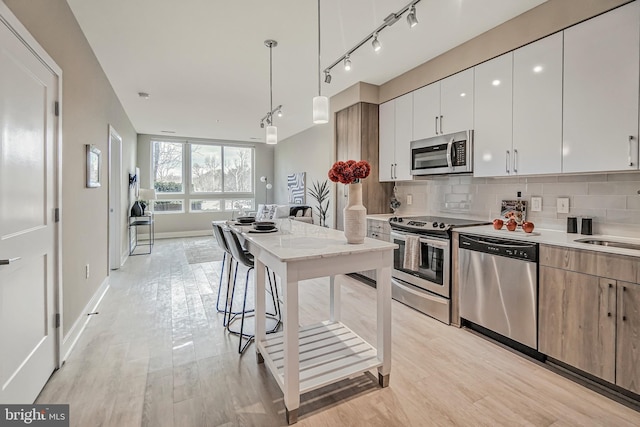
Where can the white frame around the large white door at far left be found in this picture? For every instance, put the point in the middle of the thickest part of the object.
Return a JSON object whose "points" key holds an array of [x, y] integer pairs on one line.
{"points": [[15, 26]]}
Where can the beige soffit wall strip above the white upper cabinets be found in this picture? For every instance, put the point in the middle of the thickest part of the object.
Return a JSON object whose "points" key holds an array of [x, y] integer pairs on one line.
{"points": [[543, 20]]}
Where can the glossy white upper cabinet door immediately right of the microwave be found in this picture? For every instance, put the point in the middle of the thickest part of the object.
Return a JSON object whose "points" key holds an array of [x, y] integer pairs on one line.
{"points": [[493, 109]]}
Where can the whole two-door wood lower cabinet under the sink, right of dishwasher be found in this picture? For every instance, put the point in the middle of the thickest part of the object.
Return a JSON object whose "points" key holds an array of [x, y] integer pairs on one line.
{"points": [[589, 313]]}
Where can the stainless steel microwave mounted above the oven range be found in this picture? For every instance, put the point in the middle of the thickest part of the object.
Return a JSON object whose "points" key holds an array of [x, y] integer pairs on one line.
{"points": [[443, 154]]}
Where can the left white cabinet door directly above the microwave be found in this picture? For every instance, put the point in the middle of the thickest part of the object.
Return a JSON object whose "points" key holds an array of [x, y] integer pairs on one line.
{"points": [[426, 111]]}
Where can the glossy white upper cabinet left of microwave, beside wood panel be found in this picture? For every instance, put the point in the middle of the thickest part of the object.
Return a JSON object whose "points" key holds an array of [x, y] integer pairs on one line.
{"points": [[396, 133]]}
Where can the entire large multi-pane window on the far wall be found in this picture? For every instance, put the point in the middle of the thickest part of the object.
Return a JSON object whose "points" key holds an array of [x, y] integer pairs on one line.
{"points": [[218, 177]]}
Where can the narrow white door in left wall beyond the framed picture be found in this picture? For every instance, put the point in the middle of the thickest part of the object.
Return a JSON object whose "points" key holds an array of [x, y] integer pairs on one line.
{"points": [[114, 239]]}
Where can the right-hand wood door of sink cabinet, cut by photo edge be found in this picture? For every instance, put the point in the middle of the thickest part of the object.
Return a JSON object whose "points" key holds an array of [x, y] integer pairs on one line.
{"points": [[628, 337]]}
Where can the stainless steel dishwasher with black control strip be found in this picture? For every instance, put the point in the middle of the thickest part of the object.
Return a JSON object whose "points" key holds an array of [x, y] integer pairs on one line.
{"points": [[499, 286]]}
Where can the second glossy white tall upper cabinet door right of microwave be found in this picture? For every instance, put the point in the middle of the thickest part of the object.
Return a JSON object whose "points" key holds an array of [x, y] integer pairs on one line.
{"points": [[537, 107]]}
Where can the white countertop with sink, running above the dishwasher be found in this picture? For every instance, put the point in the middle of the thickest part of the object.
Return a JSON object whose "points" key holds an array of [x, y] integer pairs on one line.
{"points": [[556, 238]]}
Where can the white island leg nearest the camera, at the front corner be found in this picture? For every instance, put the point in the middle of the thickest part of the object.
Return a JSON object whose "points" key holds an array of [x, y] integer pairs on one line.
{"points": [[291, 360]]}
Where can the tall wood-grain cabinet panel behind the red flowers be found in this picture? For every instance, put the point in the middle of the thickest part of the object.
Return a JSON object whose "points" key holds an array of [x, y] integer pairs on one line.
{"points": [[357, 139]]}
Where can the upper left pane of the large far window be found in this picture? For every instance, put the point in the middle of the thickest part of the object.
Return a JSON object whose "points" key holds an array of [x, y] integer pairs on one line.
{"points": [[166, 166]]}
